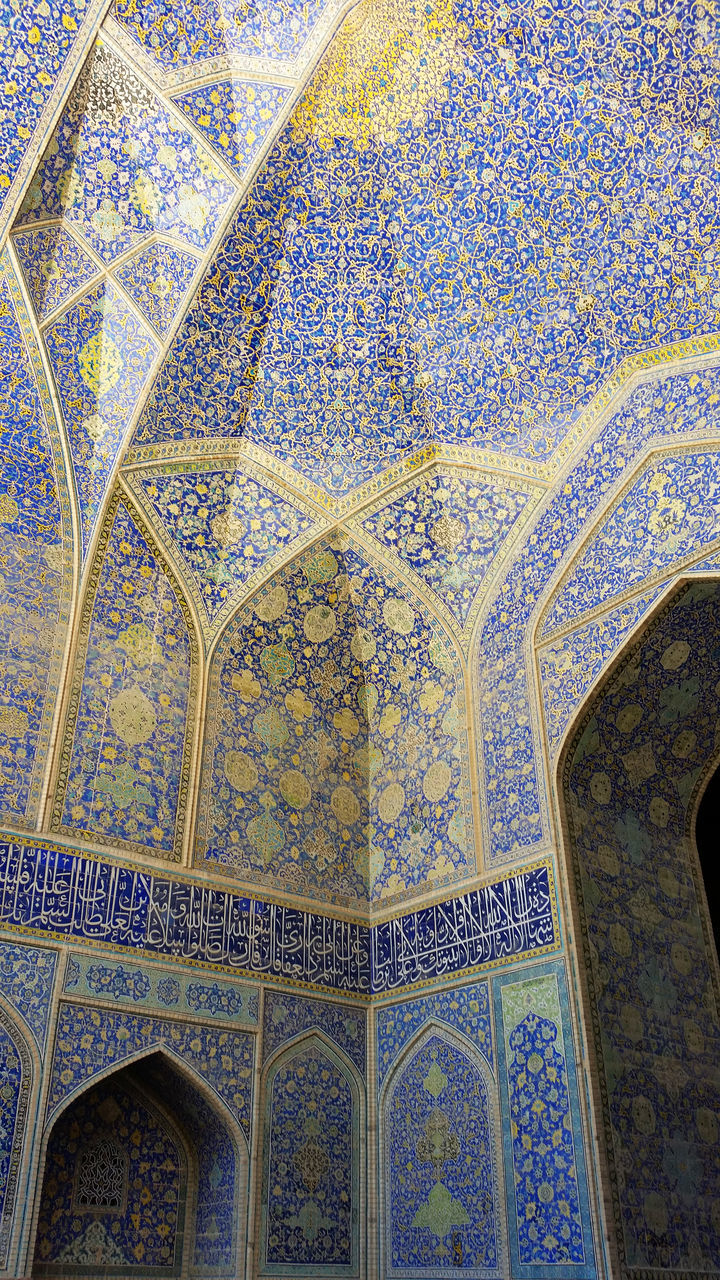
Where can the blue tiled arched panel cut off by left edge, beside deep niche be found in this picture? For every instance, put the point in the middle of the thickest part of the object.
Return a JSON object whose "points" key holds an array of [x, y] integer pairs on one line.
{"points": [[15, 1096]]}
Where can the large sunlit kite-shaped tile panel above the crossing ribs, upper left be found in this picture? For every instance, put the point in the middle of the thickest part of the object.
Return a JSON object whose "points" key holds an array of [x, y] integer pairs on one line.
{"points": [[121, 167]]}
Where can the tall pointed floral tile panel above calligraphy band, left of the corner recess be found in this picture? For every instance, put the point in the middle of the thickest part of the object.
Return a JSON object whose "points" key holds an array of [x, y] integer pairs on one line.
{"points": [[125, 761]]}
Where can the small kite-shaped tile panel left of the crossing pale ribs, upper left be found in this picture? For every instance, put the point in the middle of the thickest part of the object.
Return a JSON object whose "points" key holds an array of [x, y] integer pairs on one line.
{"points": [[54, 267]]}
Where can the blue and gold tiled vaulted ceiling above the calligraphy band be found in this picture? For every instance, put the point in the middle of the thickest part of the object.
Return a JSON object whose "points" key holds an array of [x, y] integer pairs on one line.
{"points": [[307, 307]]}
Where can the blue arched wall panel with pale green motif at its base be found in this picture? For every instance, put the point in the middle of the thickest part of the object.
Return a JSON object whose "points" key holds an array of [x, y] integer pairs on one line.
{"points": [[440, 1162]]}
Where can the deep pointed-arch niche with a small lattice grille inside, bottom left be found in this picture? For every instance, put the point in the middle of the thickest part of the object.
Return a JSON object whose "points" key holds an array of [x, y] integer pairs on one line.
{"points": [[117, 1130]]}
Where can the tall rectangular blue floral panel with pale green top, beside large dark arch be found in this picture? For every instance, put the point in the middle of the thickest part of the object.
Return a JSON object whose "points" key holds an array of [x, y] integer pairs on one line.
{"points": [[544, 1148]]}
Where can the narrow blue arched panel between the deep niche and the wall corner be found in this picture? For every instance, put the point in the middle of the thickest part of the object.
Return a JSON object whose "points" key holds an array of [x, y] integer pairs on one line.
{"points": [[313, 1199]]}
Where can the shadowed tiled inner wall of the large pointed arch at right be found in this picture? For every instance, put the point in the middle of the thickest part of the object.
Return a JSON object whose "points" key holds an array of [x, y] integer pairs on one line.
{"points": [[627, 784]]}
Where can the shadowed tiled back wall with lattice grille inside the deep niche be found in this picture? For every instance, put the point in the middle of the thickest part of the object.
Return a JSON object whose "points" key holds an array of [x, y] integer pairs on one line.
{"points": [[115, 1188]]}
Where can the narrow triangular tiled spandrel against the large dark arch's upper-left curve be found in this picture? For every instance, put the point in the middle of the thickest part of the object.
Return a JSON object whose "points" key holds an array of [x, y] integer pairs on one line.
{"points": [[569, 666]]}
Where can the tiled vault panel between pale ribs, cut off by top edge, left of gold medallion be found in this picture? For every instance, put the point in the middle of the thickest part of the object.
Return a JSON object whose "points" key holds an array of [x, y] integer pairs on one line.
{"points": [[180, 35]]}
